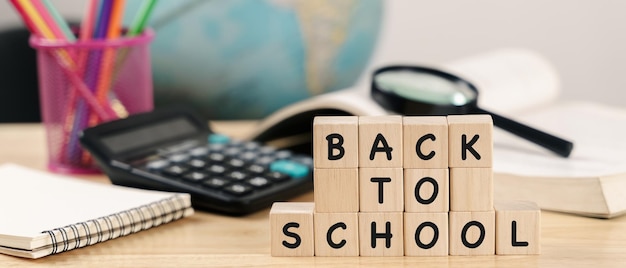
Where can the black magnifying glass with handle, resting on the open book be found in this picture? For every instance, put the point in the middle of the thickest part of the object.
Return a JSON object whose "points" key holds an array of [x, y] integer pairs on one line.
{"points": [[414, 90]]}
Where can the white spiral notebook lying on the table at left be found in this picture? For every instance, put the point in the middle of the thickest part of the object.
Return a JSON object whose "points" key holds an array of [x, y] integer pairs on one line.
{"points": [[43, 213]]}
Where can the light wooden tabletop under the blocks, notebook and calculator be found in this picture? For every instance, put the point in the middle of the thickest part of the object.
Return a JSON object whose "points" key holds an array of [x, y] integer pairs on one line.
{"points": [[206, 239]]}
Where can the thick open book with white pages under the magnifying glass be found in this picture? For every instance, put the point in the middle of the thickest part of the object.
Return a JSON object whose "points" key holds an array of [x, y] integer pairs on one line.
{"points": [[523, 86]]}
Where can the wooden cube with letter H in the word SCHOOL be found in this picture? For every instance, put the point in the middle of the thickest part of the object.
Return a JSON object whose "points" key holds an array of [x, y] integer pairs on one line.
{"points": [[381, 234]]}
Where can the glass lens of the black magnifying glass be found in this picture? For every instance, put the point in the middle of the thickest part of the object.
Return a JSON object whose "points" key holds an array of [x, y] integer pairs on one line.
{"points": [[425, 87]]}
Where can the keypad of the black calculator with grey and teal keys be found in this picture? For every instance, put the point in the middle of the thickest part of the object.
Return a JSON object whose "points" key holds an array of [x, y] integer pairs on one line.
{"points": [[230, 166]]}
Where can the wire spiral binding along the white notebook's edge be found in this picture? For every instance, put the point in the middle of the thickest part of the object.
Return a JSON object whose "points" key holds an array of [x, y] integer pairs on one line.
{"points": [[126, 222]]}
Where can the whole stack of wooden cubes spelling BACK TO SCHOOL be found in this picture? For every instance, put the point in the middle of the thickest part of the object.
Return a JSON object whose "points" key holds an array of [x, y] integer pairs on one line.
{"points": [[394, 186]]}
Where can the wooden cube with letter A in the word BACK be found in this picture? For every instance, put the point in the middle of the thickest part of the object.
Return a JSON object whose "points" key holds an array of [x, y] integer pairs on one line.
{"points": [[380, 141]]}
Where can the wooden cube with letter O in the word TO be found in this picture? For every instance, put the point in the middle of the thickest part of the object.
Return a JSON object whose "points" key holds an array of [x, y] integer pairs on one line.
{"points": [[426, 190]]}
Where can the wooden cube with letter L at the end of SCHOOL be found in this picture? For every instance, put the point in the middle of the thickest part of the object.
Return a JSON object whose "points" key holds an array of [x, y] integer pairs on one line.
{"points": [[518, 225]]}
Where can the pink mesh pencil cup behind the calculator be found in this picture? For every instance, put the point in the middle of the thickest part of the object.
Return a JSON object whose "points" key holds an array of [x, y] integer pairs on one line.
{"points": [[85, 83]]}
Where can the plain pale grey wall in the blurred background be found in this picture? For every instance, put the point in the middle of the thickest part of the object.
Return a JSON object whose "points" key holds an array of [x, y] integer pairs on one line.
{"points": [[585, 40]]}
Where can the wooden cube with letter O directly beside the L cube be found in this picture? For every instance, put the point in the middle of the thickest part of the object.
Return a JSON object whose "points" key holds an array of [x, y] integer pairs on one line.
{"points": [[472, 233]]}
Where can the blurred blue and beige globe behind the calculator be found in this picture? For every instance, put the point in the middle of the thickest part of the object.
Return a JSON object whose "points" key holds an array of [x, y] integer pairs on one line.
{"points": [[244, 59]]}
